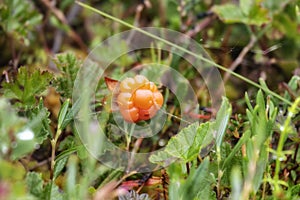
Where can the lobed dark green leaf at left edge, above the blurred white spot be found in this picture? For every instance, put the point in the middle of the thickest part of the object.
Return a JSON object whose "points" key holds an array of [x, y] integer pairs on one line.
{"points": [[27, 86]]}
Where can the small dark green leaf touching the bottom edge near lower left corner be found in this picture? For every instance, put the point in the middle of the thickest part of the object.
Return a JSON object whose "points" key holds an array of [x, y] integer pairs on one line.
{"points": [[34, 183]]}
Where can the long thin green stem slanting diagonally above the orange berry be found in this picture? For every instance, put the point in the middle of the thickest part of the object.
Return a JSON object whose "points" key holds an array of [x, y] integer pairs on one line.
{"points": [[186, 51]]}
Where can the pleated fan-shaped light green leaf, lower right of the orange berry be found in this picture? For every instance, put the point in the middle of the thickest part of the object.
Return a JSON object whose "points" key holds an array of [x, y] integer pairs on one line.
{"points": [[188, 142]]}
